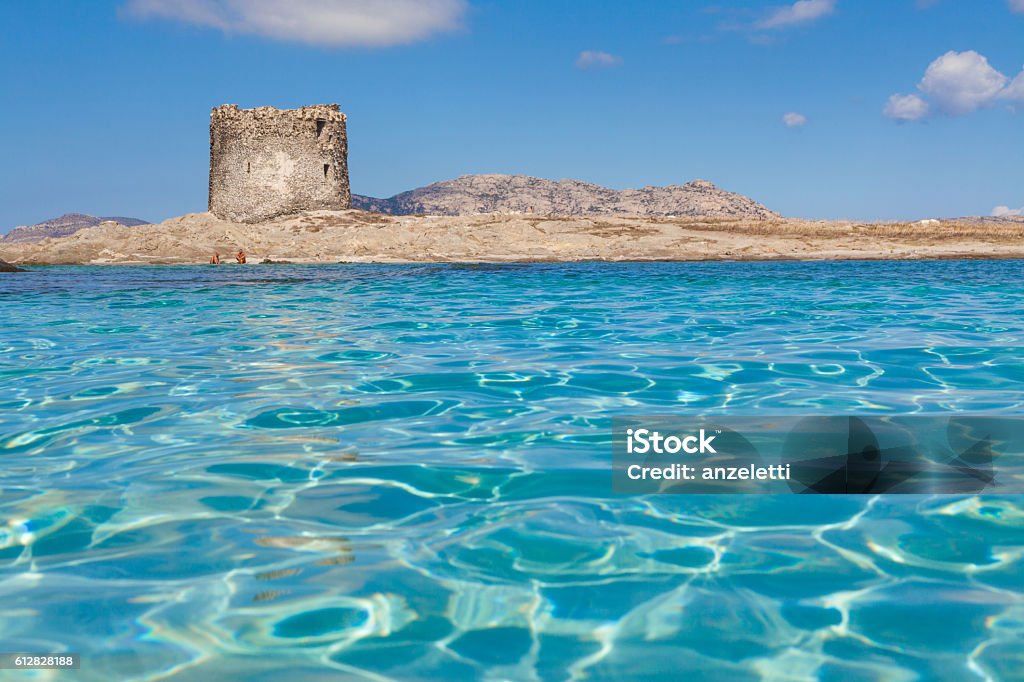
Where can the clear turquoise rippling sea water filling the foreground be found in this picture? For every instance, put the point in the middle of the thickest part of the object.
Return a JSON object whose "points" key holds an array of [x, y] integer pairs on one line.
{"points": [[402, 473]]}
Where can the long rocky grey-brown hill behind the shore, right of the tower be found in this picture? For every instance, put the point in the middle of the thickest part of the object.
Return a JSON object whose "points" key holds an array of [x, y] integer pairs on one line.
{"points": [[473, 195]]}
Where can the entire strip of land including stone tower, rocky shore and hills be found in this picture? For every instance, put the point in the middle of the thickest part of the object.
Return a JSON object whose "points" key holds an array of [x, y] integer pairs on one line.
{"points": [[280, 191]]}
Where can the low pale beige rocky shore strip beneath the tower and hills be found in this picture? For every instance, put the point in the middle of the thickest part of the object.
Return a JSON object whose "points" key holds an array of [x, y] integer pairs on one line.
{"points": [[360, 237]]}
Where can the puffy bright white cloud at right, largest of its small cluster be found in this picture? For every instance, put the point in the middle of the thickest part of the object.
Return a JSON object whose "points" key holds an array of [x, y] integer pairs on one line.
{"points": [[962, 82]]}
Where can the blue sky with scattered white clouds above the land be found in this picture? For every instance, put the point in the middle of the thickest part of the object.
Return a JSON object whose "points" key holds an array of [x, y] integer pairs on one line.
{"points": [[106, 105]]}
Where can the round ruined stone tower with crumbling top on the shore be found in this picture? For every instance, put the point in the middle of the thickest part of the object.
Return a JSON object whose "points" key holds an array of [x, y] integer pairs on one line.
{"points": [[268, 162]]}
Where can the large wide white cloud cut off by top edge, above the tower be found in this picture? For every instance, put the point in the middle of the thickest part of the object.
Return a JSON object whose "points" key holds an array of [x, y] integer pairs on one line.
{"points": [[326, 23]]}
